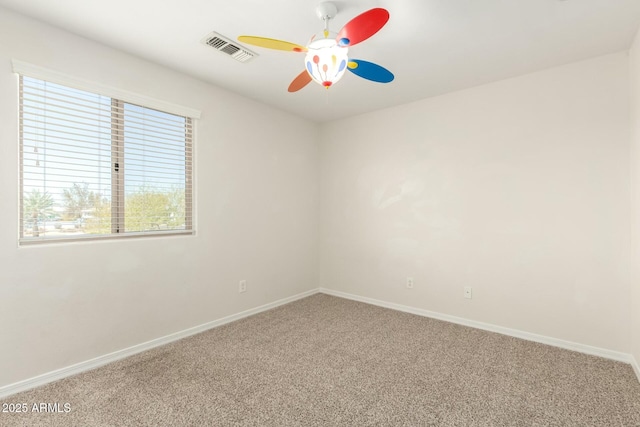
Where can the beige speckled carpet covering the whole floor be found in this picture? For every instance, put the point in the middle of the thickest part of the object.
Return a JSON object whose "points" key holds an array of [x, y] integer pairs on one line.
{"points": [[326, 361]]}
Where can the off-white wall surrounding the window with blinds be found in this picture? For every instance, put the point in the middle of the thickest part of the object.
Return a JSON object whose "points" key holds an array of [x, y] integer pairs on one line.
{"points": [[257, 219]]}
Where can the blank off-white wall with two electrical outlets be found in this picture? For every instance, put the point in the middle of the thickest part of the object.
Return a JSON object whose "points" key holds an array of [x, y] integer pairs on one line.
{"points": [[519, 189]]}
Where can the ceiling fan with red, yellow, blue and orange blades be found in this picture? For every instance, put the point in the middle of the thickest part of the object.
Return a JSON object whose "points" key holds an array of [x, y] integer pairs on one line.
{"points": [[326, 60]]}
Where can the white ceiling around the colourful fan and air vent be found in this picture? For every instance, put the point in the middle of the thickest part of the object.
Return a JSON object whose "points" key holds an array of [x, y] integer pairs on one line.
{"points": [[432, 46]]}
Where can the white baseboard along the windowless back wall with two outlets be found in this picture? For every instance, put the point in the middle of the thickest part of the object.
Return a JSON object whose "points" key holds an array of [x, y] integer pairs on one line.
{"points": [[582, 348]]}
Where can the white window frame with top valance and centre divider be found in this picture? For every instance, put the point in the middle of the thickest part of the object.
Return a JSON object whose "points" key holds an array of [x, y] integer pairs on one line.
{"points": [[118, 99]]}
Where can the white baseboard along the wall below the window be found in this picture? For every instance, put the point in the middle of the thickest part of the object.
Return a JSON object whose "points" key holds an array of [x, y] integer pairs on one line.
{"points": [[121, 354]]}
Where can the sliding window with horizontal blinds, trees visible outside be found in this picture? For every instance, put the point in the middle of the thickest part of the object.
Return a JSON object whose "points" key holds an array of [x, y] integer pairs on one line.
{"points": [[96, 166]]}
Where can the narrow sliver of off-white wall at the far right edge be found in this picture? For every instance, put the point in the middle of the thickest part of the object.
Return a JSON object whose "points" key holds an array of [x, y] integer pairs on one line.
{"points": [[635, 179]]}
